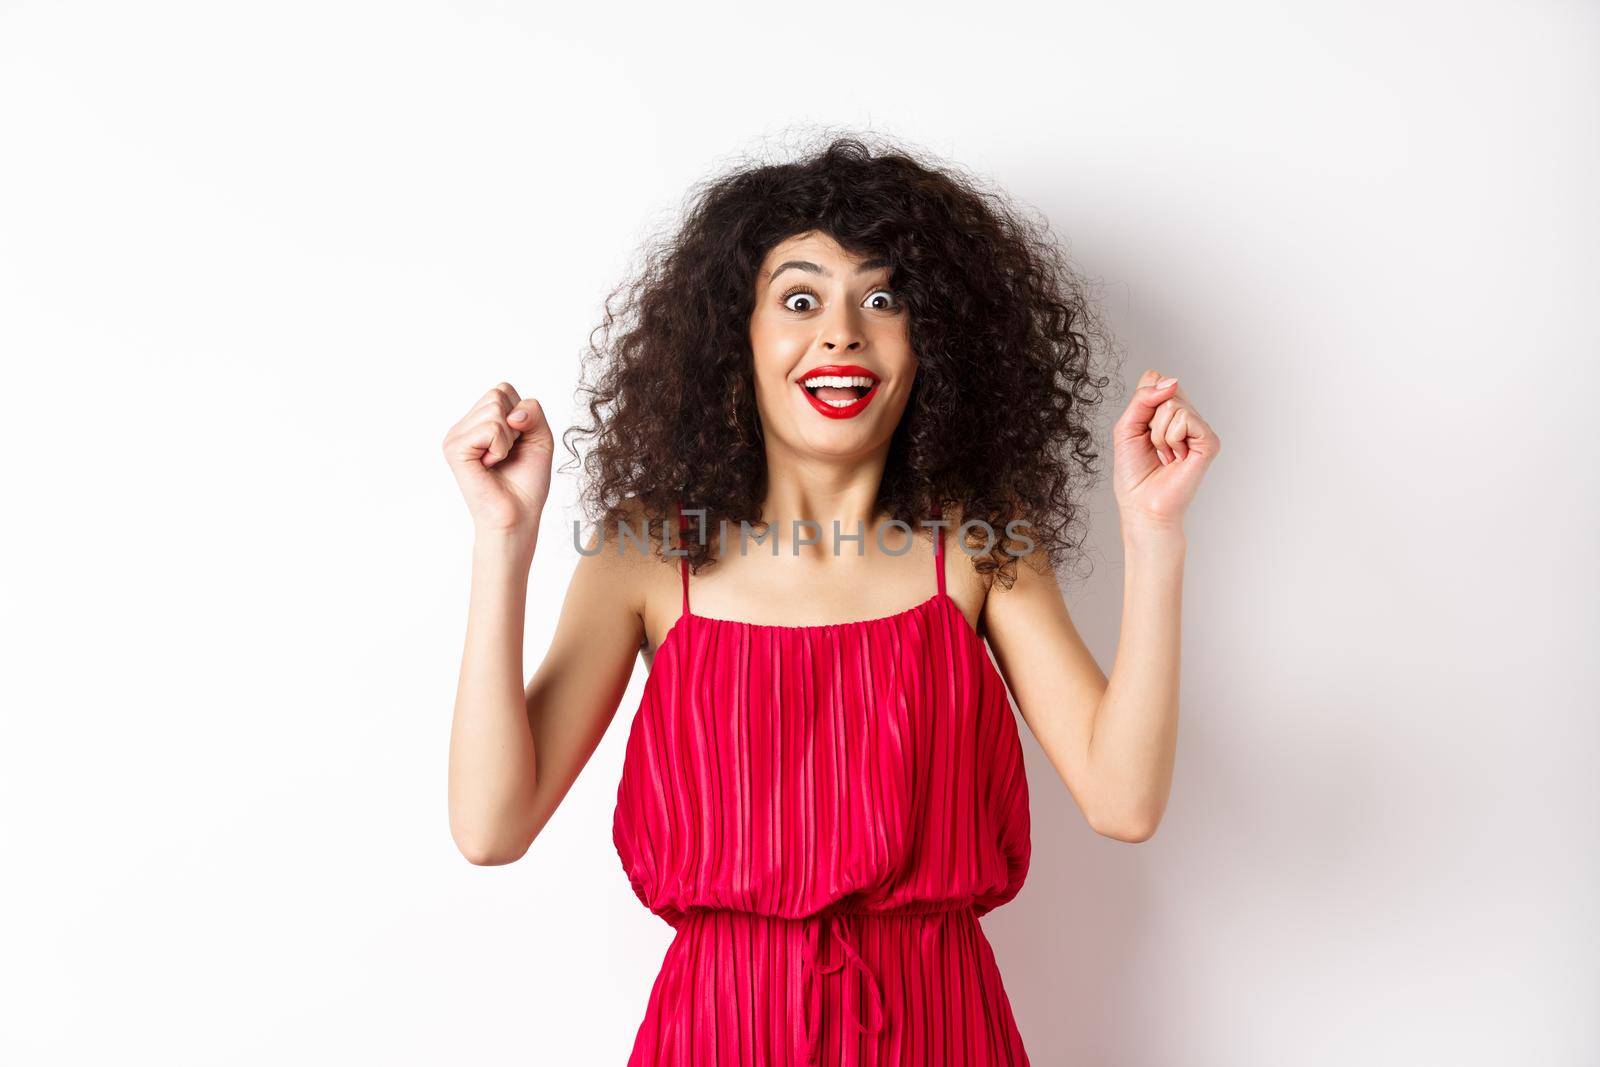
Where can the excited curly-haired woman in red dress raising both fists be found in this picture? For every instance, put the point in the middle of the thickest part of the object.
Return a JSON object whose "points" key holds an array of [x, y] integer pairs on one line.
{"points": [[831, 372]]}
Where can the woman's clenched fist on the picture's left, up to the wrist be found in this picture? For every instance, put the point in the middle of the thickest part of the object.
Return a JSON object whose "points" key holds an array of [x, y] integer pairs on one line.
{"points": [[500, 454]]}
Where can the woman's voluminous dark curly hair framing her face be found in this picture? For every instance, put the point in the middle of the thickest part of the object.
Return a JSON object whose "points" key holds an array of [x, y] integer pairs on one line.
{"points": [[998, 423]]}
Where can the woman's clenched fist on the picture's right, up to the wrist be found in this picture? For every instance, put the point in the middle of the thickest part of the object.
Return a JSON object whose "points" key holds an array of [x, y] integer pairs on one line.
{"points": [[1161, 449]]}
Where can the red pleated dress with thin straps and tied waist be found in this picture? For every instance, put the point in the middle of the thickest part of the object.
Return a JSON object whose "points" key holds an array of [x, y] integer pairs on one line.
{"points": [[823, 813]]}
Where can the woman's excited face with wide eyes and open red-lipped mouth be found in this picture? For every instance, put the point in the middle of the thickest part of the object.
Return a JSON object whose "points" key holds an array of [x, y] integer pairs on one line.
{"points": [[833, 350]]}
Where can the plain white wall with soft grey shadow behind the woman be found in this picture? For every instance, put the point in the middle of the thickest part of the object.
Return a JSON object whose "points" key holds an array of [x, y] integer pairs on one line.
{"points": [[257, 258]]}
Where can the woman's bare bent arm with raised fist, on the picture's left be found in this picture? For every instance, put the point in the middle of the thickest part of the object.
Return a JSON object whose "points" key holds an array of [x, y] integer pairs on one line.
{"points": [[516, 751]]}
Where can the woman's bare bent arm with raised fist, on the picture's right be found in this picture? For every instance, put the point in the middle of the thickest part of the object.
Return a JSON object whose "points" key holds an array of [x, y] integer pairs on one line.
{"points": [[1114, 741]]}
